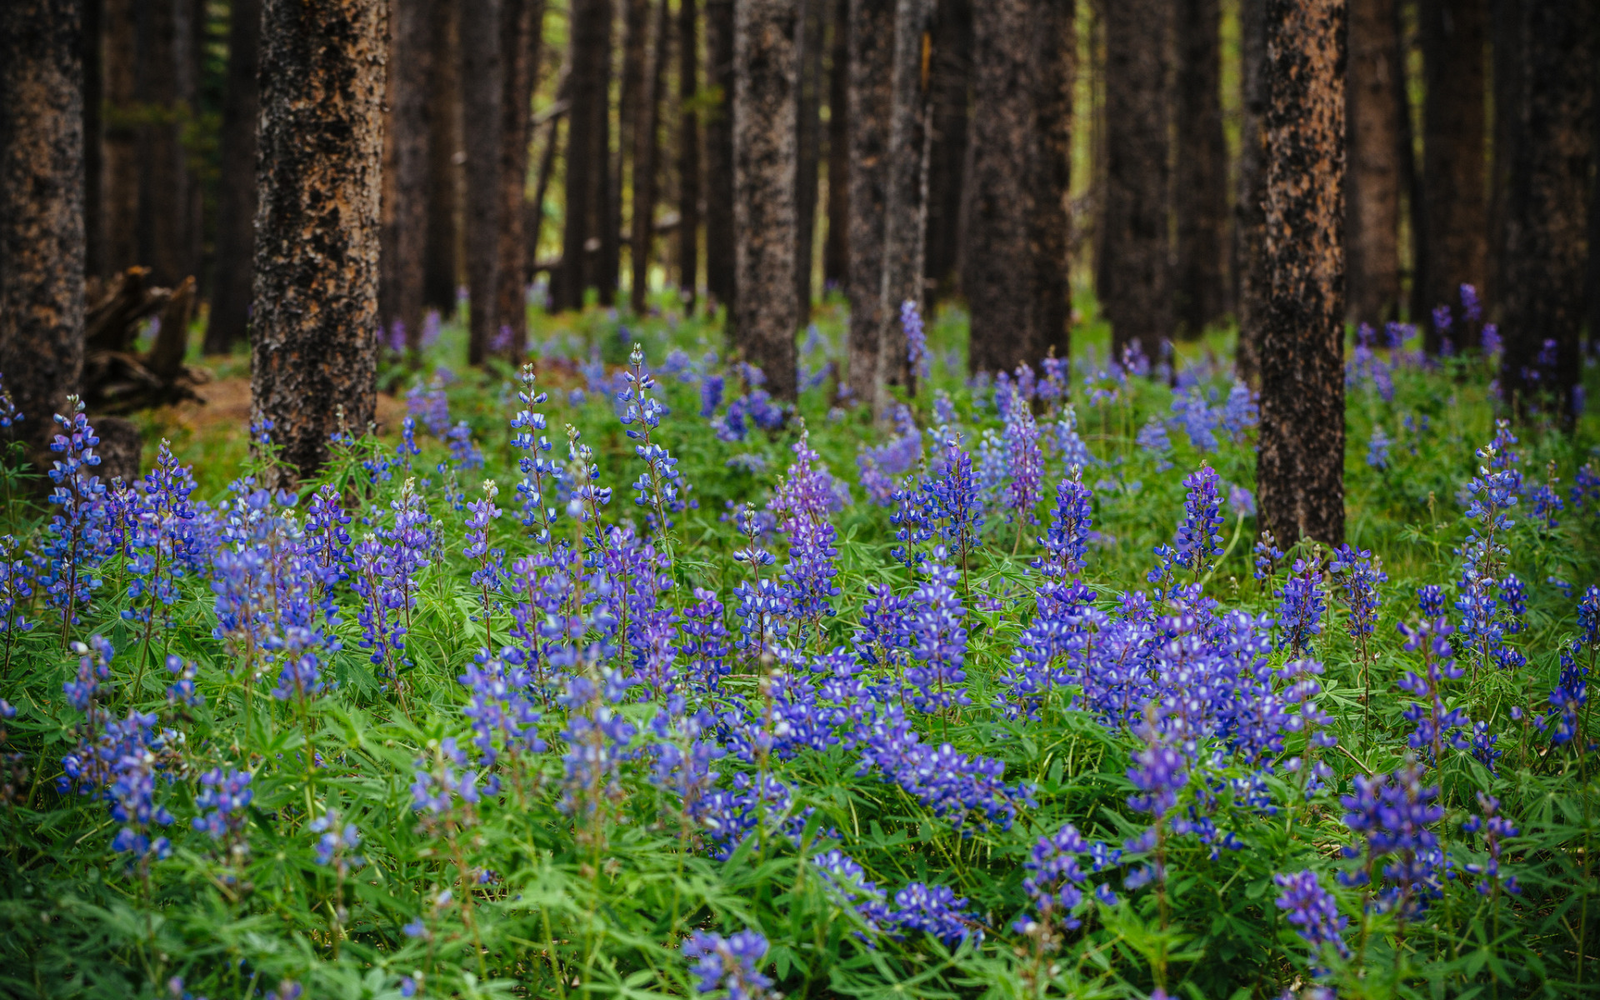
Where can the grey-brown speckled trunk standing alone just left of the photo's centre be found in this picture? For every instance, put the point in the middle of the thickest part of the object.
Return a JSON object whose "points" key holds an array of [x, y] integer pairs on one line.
{"points": [[764, 145]]}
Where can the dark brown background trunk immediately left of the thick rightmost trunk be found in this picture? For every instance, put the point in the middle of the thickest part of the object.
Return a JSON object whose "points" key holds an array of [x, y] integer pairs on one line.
{"points": [[1455, 158]]}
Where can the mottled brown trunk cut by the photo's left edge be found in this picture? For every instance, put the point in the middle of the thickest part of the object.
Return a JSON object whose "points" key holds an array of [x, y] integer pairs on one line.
{"points": [[41, 212]]}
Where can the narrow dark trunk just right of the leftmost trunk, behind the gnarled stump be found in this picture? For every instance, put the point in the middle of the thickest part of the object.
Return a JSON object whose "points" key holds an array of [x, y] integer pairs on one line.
{"points": [[122, 137]]}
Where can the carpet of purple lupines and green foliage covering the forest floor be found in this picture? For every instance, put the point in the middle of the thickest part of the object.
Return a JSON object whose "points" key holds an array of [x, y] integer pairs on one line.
{"points": [[604, 686]]}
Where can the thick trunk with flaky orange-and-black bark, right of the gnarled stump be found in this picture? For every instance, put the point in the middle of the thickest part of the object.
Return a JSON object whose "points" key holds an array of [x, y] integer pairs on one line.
{"points": [[314, 356]]}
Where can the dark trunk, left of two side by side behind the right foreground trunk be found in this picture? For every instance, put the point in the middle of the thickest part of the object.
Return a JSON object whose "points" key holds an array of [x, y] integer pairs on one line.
{"points": [[1135, 287]]}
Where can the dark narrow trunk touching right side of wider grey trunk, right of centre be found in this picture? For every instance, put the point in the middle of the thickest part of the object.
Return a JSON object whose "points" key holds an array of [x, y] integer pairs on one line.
{"points": [[1055, 76]]}
